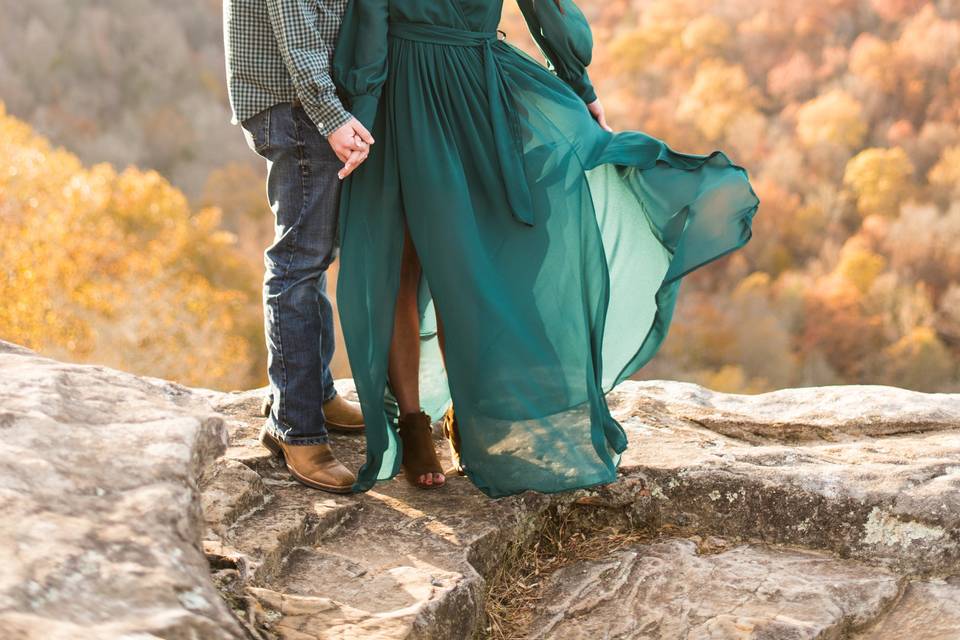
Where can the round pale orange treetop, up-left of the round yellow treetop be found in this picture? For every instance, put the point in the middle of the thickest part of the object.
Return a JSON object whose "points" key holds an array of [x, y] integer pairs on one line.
{"points": [[833, 118]]}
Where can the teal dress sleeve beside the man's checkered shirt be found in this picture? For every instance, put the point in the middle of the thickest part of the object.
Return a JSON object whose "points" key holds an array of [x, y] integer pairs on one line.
{"points": [[360, 60]]}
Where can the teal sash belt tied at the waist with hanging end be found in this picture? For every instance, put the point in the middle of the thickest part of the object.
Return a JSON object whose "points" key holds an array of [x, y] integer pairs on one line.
{"points": [[503, 113]]}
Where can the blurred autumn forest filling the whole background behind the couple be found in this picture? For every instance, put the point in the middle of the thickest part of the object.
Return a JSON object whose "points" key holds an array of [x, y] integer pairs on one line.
{"points": [[845, 112]]}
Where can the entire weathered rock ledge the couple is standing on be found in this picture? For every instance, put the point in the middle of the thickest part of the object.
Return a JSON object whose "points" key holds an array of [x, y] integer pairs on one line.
{"points": [[836, 512]]}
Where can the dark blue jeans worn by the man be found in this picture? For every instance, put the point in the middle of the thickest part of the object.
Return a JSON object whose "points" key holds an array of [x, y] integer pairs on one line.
{"points": [[304, 193]]}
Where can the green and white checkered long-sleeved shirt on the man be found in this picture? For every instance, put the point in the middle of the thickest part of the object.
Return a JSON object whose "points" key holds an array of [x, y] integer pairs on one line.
{"points": [[279, 50]]}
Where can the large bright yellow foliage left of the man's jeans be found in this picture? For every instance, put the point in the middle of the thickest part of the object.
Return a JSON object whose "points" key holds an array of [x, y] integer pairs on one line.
{"points": [[115, 268]]}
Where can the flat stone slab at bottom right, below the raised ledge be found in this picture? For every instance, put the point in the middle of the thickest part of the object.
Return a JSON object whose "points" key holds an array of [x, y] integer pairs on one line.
{"points": [[667, 590]]}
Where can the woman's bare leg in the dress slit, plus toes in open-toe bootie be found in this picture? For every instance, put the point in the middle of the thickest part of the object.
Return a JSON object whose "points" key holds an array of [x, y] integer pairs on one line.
{"points": [[404, 363]]}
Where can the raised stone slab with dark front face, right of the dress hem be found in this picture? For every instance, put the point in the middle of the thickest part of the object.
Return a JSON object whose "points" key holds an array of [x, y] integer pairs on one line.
{"points": [[892, 497]]}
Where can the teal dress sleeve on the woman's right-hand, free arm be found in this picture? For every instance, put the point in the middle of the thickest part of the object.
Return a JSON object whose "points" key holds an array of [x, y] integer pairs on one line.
{"points": [[563, 35]]}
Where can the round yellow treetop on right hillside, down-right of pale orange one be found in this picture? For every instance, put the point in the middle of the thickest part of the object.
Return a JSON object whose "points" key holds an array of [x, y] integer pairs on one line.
{"points": [[880, 180]]}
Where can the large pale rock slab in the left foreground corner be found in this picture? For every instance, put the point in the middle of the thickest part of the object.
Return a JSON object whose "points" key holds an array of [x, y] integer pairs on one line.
{"points": [[99, 508]]}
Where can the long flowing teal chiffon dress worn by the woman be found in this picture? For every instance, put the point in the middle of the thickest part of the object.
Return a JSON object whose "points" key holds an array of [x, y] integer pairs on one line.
{"points": [[552, 250]]}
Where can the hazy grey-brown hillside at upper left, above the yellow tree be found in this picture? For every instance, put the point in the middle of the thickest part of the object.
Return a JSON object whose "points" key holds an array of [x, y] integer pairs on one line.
{"points": [[123, 81]]}
